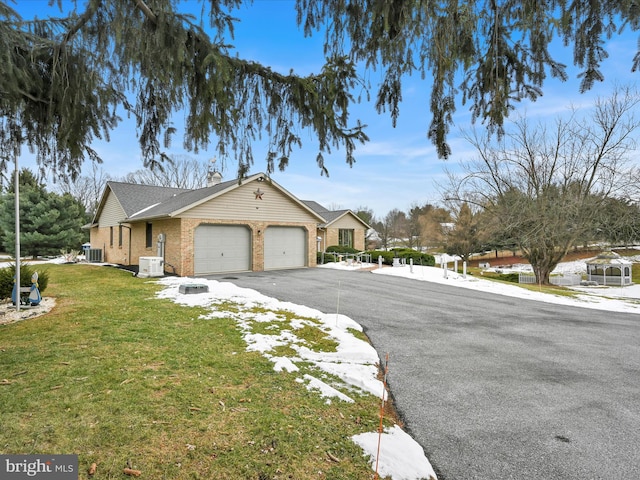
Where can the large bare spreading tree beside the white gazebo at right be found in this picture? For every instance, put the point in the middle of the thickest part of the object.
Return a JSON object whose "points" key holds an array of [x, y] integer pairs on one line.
{"points": [[546, 186]]}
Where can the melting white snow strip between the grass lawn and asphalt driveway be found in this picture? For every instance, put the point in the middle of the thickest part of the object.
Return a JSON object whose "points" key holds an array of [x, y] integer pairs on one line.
{"points": [[354, 361]]}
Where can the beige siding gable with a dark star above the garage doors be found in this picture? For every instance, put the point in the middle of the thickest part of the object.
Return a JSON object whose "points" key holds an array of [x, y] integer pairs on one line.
{"points": [[252, 201]]}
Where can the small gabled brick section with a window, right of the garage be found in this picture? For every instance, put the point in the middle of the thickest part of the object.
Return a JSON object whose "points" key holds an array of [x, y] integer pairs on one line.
{"points": [[342, 227]]}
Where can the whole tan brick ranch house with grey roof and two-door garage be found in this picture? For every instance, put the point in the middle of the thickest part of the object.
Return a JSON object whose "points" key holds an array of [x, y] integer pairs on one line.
{"points": [[233, 226]]}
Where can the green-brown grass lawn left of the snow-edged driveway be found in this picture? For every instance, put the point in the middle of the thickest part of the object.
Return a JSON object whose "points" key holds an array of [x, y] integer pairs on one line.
{"points": [[116, 375]]}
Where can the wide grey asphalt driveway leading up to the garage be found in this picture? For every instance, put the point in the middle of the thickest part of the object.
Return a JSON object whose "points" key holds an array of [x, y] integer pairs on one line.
{"points": [[492, 387]]}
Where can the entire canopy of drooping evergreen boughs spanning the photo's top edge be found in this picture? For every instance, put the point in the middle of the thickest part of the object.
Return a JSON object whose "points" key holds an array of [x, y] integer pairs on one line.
{"points": [[64, 81]]}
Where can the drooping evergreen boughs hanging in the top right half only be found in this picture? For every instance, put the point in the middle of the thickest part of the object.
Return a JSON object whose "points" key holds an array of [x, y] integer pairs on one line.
{"points": [[491, 53]]}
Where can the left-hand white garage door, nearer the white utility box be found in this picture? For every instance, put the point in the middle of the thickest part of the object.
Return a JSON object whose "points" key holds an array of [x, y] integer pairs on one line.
{"points": [[221, 248]]}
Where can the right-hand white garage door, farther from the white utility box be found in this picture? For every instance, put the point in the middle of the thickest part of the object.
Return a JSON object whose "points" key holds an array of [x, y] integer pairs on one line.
{"points": [[285, 247]]}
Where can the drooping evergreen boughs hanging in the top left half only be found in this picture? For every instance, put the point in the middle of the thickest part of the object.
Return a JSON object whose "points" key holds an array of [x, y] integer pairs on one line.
{"points": [[65, 80]]}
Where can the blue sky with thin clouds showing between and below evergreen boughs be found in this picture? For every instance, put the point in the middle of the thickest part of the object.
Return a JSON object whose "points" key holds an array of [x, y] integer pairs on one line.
{"points": [[398, 167]]}
